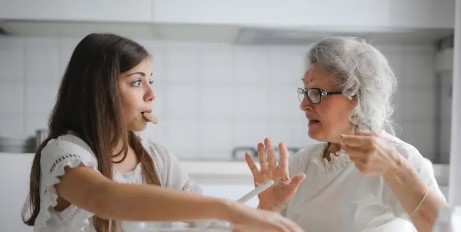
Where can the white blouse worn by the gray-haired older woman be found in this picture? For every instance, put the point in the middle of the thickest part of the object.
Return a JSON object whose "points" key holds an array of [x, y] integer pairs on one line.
{"points": [[335, 196]]}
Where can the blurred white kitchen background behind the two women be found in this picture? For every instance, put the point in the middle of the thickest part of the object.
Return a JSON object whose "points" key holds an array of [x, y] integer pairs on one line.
{"points": [[225, 77]]}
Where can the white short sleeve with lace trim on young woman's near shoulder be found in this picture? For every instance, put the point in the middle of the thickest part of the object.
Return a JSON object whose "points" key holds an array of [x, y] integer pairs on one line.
{"points": [[65, 151]]}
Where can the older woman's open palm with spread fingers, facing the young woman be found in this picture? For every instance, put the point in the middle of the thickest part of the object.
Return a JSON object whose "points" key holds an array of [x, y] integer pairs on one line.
{"points": [[275, 197]]}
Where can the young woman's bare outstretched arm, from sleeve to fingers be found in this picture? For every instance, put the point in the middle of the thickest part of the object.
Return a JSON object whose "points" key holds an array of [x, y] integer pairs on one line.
{"points": [[90, 190]]}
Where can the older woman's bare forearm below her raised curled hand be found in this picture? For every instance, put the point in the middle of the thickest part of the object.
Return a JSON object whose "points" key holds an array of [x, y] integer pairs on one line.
{"points": [[411, 191]]}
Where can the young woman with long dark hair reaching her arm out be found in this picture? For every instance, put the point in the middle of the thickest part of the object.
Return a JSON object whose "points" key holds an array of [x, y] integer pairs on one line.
{"points": [[93, 170]]}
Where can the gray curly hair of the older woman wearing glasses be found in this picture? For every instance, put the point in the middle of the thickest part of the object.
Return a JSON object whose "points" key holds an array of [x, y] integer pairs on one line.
{"points": [[363, 74]]}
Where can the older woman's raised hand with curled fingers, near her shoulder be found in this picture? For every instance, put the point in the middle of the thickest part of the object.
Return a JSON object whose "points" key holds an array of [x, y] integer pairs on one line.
{"points": [[370, 153]]}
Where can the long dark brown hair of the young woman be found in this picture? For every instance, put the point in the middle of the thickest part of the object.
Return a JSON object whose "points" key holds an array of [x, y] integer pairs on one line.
{"points": [[89, 106]]}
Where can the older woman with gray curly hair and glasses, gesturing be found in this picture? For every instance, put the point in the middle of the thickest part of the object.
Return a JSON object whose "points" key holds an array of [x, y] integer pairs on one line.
{"points": [[351, 174]]}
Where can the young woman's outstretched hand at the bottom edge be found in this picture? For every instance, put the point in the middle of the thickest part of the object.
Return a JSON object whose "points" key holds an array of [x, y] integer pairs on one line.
{"points": [[249, 219]]}
